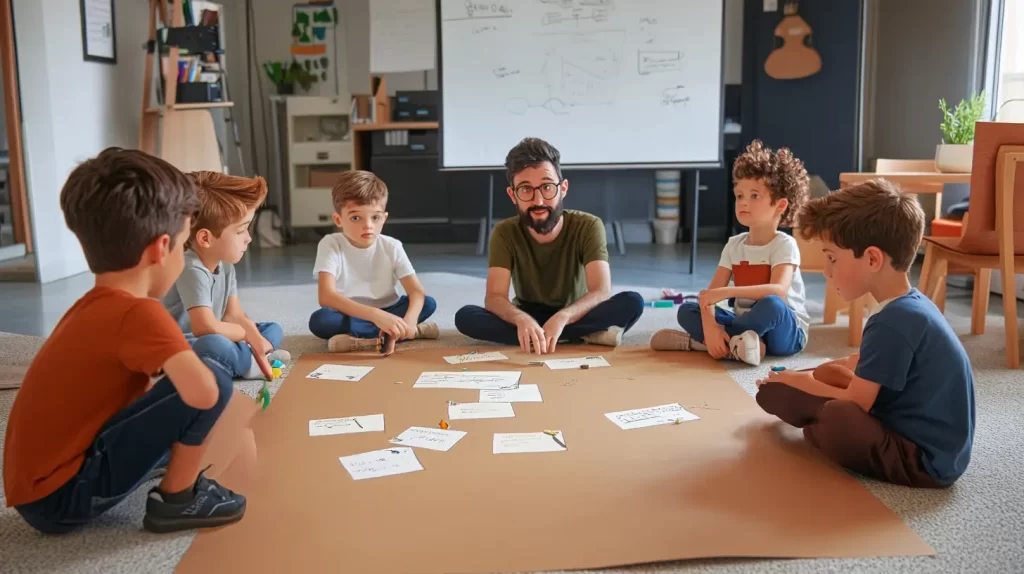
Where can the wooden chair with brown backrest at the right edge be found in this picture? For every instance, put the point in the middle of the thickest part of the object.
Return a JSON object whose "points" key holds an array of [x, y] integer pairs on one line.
{"points": [[991, 240]]}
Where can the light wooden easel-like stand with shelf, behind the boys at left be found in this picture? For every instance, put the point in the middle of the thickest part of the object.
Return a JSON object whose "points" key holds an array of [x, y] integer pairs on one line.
{"points": [[184, 135]]}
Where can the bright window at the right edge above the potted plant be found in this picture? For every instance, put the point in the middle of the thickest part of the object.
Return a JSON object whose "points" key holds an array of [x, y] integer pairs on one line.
{"points": [[1008, 82]]}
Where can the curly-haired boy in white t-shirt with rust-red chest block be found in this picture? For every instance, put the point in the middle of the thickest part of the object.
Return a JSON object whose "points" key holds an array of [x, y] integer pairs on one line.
{"points": [[767, 294]]}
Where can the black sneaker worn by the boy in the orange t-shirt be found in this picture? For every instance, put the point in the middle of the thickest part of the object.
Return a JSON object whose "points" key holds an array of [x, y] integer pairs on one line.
{"points": [[212, 506]]}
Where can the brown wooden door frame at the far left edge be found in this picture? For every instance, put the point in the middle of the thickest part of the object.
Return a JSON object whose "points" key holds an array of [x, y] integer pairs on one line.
{"points": [[13, 110]]}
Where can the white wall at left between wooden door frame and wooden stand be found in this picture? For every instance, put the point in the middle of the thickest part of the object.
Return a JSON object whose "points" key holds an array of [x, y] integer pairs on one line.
{"points": [[72, 110]]}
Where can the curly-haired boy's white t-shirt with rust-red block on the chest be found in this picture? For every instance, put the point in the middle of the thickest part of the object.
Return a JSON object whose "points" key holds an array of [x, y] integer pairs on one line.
{"points": [[752, 266]]}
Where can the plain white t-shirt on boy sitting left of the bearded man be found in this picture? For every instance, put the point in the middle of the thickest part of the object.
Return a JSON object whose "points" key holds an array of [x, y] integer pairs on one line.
{"points": [[368, 276]]}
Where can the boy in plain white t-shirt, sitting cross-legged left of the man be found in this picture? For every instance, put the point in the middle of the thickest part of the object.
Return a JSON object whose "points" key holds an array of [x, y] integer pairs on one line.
{"points": [[359, 272]]}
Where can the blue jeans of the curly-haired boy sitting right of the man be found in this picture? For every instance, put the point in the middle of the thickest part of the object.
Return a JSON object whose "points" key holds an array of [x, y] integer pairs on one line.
{"points": [[771, 318]]}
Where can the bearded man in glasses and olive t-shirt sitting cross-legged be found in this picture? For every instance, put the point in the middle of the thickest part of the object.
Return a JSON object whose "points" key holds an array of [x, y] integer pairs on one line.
{"points": [[557, 259]]}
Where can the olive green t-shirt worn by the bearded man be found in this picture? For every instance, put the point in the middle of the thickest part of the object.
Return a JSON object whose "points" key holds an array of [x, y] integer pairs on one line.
{"points": [[552, 274]]}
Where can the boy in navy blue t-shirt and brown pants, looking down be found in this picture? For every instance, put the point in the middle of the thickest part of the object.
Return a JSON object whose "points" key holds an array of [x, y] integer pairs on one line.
{"points": [[903, 410]]}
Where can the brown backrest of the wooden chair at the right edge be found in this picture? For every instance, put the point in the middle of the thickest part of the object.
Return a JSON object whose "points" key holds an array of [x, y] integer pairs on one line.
{"points": [[979, 233]]}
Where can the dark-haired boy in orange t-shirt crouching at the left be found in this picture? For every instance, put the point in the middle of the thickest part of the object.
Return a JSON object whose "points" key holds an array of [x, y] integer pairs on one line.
{"points": [[90, 426]]}
